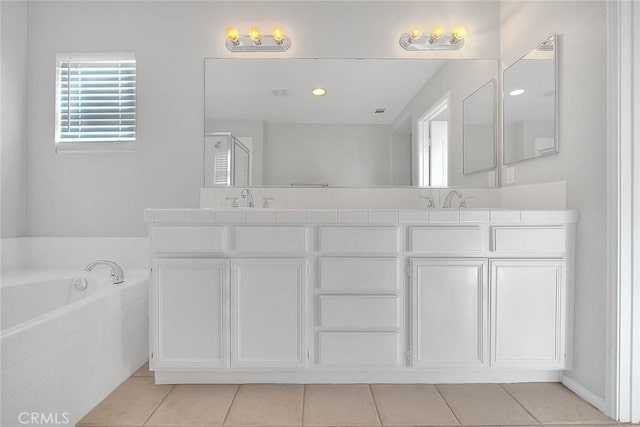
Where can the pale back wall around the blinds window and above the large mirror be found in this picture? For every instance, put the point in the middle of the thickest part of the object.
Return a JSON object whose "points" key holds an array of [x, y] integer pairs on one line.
{"points": [[104, 195]]}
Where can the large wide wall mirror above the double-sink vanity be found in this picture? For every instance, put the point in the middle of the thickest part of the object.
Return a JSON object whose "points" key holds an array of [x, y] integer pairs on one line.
{"points": [[375, 122]]}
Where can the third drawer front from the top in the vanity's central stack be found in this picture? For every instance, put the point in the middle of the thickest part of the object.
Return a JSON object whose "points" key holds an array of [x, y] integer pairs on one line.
{"points": [[351, 311]]}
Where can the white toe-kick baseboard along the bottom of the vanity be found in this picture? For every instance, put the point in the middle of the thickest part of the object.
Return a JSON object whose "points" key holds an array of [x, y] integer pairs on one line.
{"points": [[457, 376]]}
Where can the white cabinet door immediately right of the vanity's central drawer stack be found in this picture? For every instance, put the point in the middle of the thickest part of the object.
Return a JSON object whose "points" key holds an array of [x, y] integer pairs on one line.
{"points": [[449, 313]]}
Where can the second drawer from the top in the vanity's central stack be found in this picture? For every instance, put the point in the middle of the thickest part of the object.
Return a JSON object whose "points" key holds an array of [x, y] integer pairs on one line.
{"points": [[355, 274]]}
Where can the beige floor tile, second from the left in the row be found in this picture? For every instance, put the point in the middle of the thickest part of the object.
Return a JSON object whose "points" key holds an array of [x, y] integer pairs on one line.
{"points": [[194, 405]]}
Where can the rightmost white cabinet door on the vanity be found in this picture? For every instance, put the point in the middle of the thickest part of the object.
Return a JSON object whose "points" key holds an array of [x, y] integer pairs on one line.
{"points": [[528, 314]]}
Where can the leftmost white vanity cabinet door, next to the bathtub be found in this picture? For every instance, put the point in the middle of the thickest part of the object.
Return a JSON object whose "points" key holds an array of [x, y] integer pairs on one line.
{"points": [[191, 300]]}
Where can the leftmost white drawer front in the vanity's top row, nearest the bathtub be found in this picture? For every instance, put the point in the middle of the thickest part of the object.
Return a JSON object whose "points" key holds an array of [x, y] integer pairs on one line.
{"points": [[188, 239]]}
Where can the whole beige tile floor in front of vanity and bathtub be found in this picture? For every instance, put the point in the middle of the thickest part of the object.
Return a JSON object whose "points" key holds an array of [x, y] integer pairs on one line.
{"points": [[138, 402]]}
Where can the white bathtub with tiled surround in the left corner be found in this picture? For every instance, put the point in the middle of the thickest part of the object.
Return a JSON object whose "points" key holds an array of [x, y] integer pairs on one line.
{"points": [[67, 340]]}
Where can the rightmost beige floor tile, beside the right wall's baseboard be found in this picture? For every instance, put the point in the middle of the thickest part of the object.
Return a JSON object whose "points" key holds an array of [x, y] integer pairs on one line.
{"points": [[553, 403]]}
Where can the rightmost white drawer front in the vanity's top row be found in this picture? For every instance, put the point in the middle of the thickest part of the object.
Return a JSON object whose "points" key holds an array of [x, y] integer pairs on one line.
{"points": [[529, 239]]}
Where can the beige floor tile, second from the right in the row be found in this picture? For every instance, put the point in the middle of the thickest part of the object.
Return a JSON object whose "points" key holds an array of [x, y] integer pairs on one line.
{"points": [[484, 404]]}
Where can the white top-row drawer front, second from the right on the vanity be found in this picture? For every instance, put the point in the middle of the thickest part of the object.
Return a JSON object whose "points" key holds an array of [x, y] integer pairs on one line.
{"points": [[446, 240]]}
